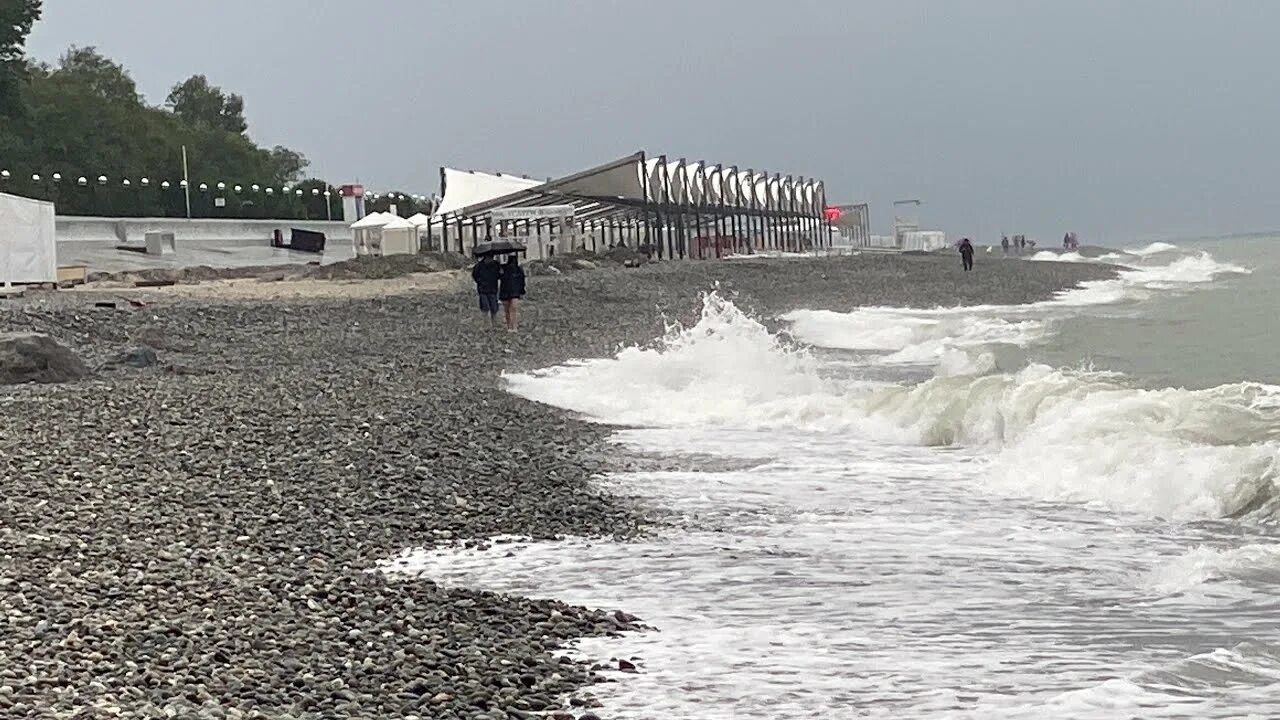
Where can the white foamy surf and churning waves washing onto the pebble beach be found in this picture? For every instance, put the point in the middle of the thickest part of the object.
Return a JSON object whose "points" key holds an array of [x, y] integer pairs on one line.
{"points": [[977, 545]]}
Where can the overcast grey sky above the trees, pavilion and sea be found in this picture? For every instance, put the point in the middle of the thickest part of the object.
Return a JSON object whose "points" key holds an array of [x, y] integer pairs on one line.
{"points": [[1119, 120]]}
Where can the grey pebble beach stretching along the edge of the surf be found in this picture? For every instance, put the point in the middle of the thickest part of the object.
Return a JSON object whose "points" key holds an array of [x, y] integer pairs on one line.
{"points": [[213, 521]]}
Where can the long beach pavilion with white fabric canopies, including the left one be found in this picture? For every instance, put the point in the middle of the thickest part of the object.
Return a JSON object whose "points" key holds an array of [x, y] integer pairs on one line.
{"points": [[671, 209]]}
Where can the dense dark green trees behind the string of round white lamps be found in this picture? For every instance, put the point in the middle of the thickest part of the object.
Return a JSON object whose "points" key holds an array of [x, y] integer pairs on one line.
{"points": [[80, 134]]}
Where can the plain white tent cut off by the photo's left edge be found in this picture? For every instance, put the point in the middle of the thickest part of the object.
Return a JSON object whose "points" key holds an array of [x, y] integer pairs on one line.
{"points": [[29, 249]]}
